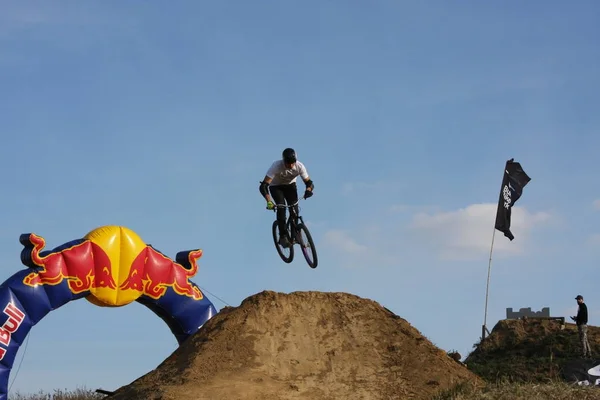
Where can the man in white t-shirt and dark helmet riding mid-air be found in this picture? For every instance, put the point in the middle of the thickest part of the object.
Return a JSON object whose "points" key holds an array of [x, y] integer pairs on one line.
{"points": [[280, 181]]}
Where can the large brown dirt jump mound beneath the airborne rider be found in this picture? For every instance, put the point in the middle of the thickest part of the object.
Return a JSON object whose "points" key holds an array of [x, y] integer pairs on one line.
{"points": [[302, 345]]}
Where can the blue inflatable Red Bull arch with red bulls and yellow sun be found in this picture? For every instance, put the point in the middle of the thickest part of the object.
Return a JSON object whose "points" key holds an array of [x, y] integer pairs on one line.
{"points": [[110, 267]]}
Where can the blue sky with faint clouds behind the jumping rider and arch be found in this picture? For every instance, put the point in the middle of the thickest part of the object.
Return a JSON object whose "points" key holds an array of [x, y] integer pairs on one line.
{"points": [[164, 118]]}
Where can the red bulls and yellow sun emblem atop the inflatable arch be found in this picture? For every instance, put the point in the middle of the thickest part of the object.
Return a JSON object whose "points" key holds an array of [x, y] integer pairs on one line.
{"points": [[115, 265]]}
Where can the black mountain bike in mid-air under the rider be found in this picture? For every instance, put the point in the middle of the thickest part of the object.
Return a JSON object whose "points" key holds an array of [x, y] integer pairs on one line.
{"points": [[295, 226]]}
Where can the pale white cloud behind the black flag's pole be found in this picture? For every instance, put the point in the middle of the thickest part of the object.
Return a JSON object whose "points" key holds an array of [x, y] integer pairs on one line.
{"points": [[466, 233]]}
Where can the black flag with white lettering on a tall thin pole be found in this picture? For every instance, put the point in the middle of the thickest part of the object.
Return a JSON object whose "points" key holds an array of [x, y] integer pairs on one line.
{"points": [[513, 183]]}
